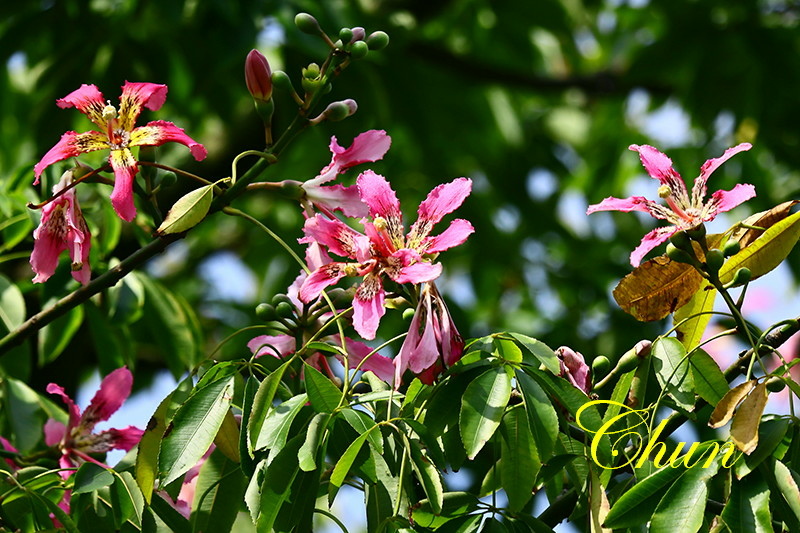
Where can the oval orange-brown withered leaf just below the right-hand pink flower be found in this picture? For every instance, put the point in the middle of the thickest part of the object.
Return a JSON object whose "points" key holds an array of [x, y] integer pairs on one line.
{"points": [[656, 288]]}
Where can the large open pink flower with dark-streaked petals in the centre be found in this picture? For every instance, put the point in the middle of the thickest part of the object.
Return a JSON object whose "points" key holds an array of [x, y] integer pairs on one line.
{"points": [[385, 251]]}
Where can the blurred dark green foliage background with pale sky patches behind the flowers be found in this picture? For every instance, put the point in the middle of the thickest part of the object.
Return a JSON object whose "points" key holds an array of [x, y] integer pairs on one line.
{"points": [[536, 101]]}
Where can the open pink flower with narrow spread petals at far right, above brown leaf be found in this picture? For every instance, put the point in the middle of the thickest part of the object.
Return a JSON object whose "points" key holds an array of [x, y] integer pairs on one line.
{"points": [[681, 211]]}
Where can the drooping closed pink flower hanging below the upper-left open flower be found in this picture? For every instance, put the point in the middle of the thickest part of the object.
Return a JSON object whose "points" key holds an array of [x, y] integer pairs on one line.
{"points": [[62, 228]]}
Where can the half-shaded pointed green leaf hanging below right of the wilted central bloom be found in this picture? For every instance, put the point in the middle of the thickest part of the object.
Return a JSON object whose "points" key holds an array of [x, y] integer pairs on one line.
{"points": [[482, 407]]}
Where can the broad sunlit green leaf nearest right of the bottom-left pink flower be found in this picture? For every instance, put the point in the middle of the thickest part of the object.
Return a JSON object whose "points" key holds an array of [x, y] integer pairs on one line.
{"points": [[193, 428]]}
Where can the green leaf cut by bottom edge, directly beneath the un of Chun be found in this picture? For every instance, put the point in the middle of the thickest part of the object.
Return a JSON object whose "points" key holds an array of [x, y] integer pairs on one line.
{"points": [[683, 505]]}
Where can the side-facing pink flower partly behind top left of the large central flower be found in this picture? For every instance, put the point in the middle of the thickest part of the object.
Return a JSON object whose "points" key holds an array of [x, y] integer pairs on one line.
{"points": [[367, 147]]}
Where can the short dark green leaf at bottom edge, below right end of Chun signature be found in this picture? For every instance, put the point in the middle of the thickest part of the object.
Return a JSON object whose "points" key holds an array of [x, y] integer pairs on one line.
{"points": [[747, 508]]}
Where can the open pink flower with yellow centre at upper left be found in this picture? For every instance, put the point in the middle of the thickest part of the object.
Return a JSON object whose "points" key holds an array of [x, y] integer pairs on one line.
{"points": [[118, 135]]}
